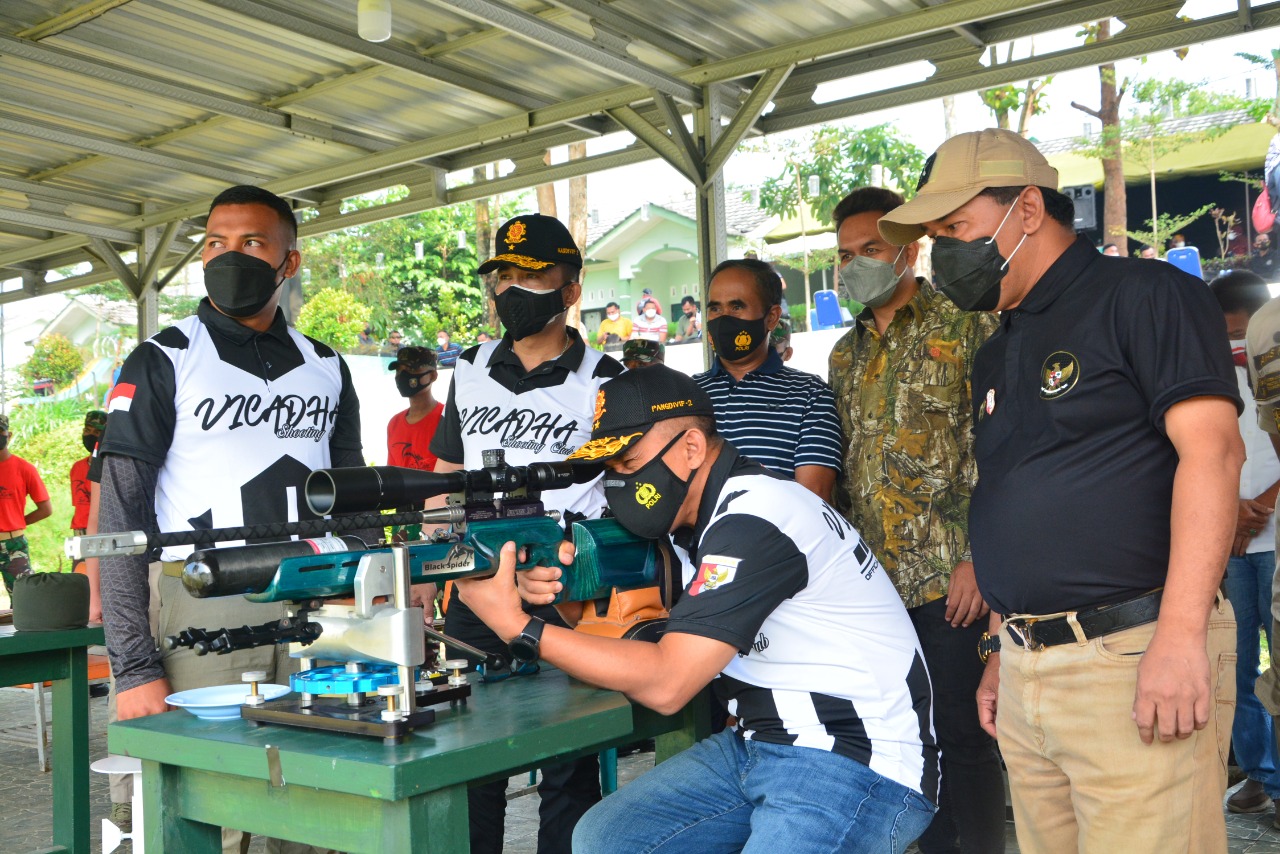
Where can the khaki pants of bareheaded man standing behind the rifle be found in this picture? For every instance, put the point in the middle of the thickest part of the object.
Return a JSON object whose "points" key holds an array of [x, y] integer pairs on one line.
{"points": [[186, 670]]}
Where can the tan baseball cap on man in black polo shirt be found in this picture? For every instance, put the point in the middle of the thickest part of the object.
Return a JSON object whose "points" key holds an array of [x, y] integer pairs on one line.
{"points": [[962, 168]]}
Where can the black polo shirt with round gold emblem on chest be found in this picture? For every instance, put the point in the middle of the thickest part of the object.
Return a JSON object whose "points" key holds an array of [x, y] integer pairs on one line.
{"points": [[1076, 473]]}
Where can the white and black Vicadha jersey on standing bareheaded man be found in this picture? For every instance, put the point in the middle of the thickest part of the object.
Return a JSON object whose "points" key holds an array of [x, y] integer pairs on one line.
{"points": [[234, 419]]}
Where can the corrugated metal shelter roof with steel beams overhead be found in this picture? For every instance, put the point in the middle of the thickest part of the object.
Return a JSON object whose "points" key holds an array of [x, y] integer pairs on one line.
{"points": [[118, 116]]}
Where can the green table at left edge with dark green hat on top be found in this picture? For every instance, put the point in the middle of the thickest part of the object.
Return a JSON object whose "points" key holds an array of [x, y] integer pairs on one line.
{"points": [[60, 657]]}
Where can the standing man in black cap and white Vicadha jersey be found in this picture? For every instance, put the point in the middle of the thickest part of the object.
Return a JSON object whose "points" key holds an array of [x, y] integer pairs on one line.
{"points": [[532, 394]]}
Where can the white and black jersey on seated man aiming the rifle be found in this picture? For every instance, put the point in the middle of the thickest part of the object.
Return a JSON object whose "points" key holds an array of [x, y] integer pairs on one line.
{"points": [[828, 655]]}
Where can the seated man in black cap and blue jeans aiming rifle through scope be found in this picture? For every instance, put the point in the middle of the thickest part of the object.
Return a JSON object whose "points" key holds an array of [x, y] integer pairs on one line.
{"points": [[788, 615]]}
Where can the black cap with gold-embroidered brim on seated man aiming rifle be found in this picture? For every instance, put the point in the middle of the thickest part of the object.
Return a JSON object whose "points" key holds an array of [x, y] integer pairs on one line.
{"points": [[629, 407]]}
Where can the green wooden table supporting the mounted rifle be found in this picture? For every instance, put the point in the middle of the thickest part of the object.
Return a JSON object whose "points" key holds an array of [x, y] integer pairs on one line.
{"points": [[356, 794]]}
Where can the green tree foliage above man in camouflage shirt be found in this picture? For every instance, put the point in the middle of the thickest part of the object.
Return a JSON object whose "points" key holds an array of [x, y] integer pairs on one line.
{"points": [[843, 159]]}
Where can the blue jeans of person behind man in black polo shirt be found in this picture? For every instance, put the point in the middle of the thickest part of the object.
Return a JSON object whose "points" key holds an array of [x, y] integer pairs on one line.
{"points": [[1249, 588]]}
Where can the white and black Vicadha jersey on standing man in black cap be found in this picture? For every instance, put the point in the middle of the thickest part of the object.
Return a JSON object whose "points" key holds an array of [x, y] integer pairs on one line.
{"points": [[534, 417]]}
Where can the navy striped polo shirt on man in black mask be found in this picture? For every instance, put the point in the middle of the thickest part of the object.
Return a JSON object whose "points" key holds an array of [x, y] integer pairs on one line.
{"points": [[779, 417]]}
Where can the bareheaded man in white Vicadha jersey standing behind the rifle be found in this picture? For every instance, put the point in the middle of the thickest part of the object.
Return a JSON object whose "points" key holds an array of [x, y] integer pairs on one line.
{"points": [[217, 422]]}
